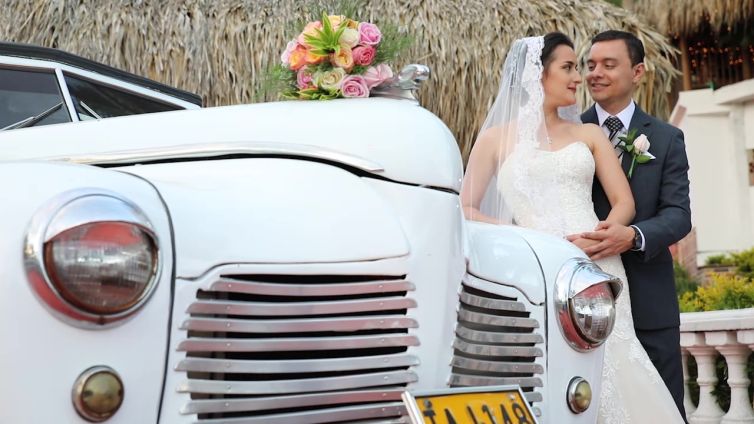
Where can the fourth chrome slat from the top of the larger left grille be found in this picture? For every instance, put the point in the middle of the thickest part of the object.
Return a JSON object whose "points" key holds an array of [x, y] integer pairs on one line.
{"points": [[295, 344]]}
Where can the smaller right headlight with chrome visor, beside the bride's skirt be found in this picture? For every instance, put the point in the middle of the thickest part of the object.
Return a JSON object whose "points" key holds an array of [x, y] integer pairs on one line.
{"points": [[585, 303]]}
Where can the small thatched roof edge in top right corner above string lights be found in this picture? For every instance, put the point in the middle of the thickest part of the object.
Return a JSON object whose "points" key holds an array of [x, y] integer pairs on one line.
{"points": [[683, 17]]}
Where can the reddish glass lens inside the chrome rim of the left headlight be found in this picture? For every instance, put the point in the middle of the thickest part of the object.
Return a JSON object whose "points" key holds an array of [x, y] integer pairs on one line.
{"points": [[103, 267]]}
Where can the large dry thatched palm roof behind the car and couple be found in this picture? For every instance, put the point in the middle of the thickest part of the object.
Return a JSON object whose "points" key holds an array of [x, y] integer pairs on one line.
{"points": [[220, 48]]}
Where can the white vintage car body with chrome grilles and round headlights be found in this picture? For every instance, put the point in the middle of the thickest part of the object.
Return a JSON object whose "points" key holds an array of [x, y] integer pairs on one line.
{"points": [[289, 262]]}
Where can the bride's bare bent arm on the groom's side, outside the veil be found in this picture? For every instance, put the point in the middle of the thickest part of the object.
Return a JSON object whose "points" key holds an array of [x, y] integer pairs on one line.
{"points": [[611, 176]]}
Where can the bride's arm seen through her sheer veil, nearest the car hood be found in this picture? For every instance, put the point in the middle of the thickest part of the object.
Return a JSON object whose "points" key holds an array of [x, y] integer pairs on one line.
{"points": [[482, 164]]}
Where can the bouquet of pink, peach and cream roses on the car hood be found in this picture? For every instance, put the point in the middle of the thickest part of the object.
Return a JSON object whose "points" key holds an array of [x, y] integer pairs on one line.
{"points": [[336, 57]]}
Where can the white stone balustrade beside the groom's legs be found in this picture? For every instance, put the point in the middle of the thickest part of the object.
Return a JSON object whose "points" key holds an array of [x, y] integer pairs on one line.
{"points": [[704, 336]]}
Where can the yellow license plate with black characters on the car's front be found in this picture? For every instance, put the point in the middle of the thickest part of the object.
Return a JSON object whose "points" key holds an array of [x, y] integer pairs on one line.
{"points": [[476, 405]]}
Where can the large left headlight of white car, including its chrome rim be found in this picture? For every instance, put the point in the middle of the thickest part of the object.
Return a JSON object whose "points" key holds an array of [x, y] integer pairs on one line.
{"points": [[92, 257]]}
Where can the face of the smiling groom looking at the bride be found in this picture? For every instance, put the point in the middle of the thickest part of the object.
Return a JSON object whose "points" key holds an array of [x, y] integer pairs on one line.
{"points": [[610, 75]]}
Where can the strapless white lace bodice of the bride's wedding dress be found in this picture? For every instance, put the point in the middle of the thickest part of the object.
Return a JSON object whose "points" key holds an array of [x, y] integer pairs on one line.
{"points": [[562, 203]]}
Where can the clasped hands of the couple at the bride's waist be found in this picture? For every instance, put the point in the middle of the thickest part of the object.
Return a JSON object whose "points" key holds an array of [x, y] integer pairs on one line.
{"points": [[607, 239]]}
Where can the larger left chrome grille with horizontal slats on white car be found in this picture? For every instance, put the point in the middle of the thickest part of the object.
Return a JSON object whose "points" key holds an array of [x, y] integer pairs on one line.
{"points": [[299, 349]]}
